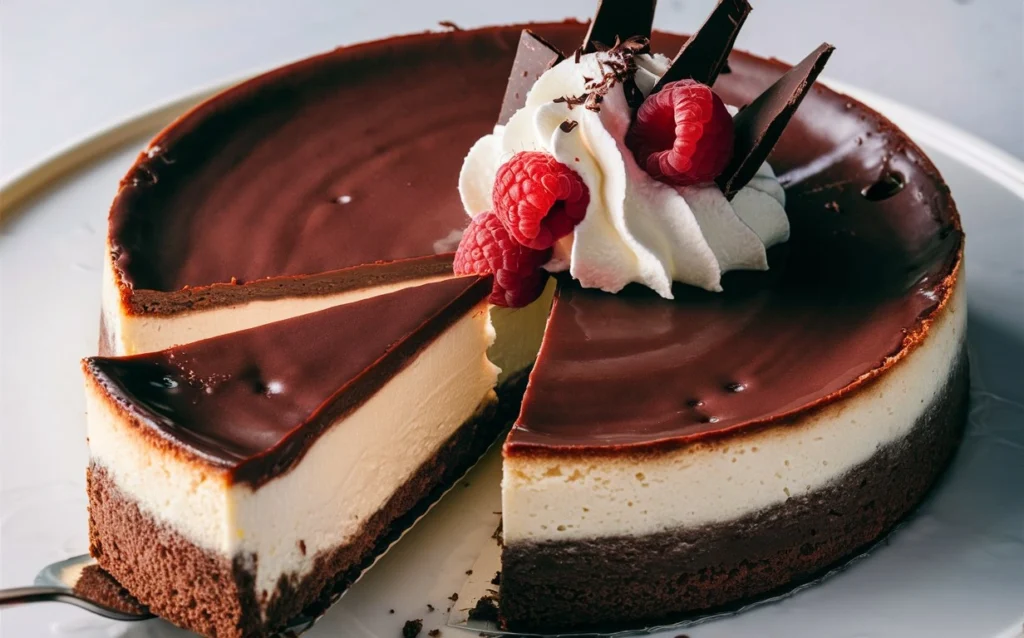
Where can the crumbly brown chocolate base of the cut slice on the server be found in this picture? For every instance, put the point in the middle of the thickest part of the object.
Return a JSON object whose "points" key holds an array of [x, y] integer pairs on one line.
{"points": [[216, 597]]}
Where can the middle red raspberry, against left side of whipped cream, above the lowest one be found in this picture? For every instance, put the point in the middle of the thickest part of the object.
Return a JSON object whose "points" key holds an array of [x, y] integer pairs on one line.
{"points": [[539, 199]]}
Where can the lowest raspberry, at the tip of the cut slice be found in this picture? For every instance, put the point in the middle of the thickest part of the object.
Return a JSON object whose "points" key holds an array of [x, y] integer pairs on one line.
{"points": [[488, 248]]}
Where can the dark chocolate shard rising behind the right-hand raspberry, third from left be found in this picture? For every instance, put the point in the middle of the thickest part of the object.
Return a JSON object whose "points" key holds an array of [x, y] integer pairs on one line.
{"points": [[706, 54]]}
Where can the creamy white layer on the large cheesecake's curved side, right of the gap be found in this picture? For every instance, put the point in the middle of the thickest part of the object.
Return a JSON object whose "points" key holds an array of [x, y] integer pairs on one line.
{"points": [[574, 497]]}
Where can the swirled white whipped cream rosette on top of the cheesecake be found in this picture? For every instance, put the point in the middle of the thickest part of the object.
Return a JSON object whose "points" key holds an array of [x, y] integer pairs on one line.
{"points": [[637, 229]]}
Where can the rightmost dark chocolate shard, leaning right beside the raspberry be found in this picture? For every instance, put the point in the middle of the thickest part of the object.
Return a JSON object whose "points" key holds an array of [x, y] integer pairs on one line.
{"points": [[761, 124]]}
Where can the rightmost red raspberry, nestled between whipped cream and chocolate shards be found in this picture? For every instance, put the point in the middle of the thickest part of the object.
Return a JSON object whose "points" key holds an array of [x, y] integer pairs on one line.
{"points": [[684, 135]]}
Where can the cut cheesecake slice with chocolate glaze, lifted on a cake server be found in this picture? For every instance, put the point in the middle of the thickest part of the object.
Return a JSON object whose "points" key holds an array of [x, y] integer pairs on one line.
{"points": [[234, 481]]}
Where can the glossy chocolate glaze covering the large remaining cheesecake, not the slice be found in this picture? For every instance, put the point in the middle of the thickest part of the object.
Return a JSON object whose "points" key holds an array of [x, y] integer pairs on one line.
{"points": [[244, 188]]}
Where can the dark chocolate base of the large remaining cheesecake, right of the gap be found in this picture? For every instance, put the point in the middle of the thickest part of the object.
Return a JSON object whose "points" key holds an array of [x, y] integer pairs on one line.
{"points": [[612, 583]]}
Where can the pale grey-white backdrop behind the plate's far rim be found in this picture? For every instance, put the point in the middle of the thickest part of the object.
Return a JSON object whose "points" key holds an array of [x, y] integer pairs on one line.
{"points": [[70, 67]]}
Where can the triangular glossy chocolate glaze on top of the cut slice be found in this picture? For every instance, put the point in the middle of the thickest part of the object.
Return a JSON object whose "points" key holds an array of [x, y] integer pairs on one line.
{"points": [[253, 402]]}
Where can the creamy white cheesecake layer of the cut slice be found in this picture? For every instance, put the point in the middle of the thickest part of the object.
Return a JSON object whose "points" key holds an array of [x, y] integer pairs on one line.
{"points": [[348, 476]]}
